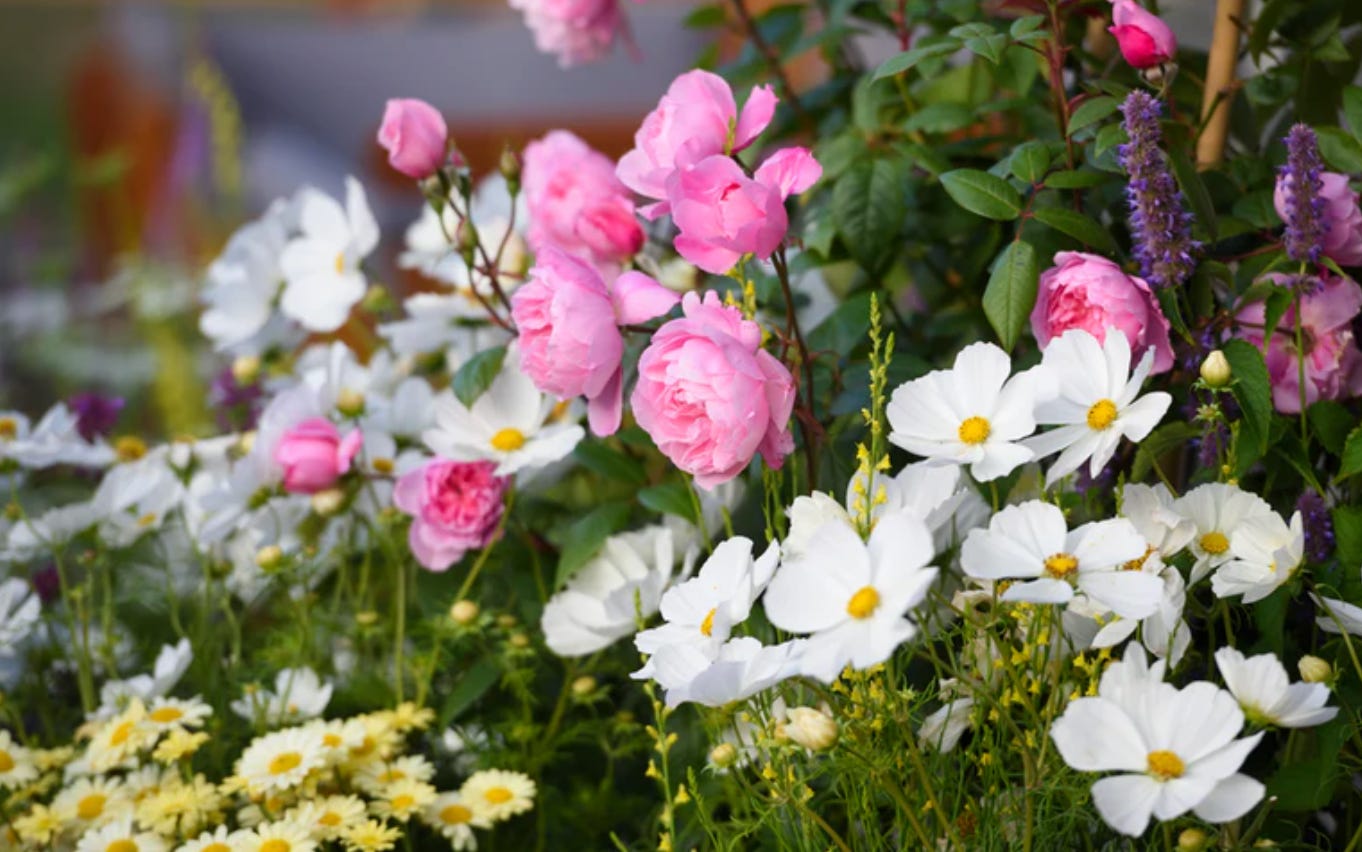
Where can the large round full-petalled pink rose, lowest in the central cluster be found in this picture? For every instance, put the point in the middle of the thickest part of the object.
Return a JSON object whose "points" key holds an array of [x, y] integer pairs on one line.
{"points": [[710, 397]]}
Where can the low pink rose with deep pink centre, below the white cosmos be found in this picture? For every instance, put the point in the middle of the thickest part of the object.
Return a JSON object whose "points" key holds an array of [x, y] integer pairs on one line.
{"points": [[456, 507]]}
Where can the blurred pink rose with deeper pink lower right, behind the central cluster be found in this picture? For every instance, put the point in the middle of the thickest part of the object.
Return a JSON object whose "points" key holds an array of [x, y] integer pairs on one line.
{"points": [[577, 203]]}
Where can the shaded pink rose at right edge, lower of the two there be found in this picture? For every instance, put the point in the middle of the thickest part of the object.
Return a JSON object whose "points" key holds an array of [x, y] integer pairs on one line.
{"points": [[1333, 361]]}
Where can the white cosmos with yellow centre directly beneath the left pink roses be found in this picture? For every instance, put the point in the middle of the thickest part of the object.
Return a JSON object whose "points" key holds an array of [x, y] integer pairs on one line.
{"points": [[510, 424]]}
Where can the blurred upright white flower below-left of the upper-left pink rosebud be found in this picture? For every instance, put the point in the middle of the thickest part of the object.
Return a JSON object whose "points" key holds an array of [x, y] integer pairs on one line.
{"points": [[322, 265]]}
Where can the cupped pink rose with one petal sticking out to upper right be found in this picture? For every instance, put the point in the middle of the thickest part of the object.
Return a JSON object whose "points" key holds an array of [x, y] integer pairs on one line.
{"points": [[723, 214]]}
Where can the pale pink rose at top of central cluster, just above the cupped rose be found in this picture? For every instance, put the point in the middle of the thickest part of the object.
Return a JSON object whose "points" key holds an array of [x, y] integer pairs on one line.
{"points": [[697, 119]]}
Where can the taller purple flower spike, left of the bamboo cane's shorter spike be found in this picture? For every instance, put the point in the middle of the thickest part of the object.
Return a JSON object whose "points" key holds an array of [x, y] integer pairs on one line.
{"points": [[1160, 223]]}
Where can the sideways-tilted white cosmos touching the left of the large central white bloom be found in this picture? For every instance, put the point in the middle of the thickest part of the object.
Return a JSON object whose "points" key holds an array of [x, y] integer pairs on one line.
{"points": [[703, 610]]}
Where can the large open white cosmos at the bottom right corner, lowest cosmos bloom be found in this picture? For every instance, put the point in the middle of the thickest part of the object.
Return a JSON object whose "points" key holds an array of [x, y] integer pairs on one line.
{"points": [[1175, 748]]}
